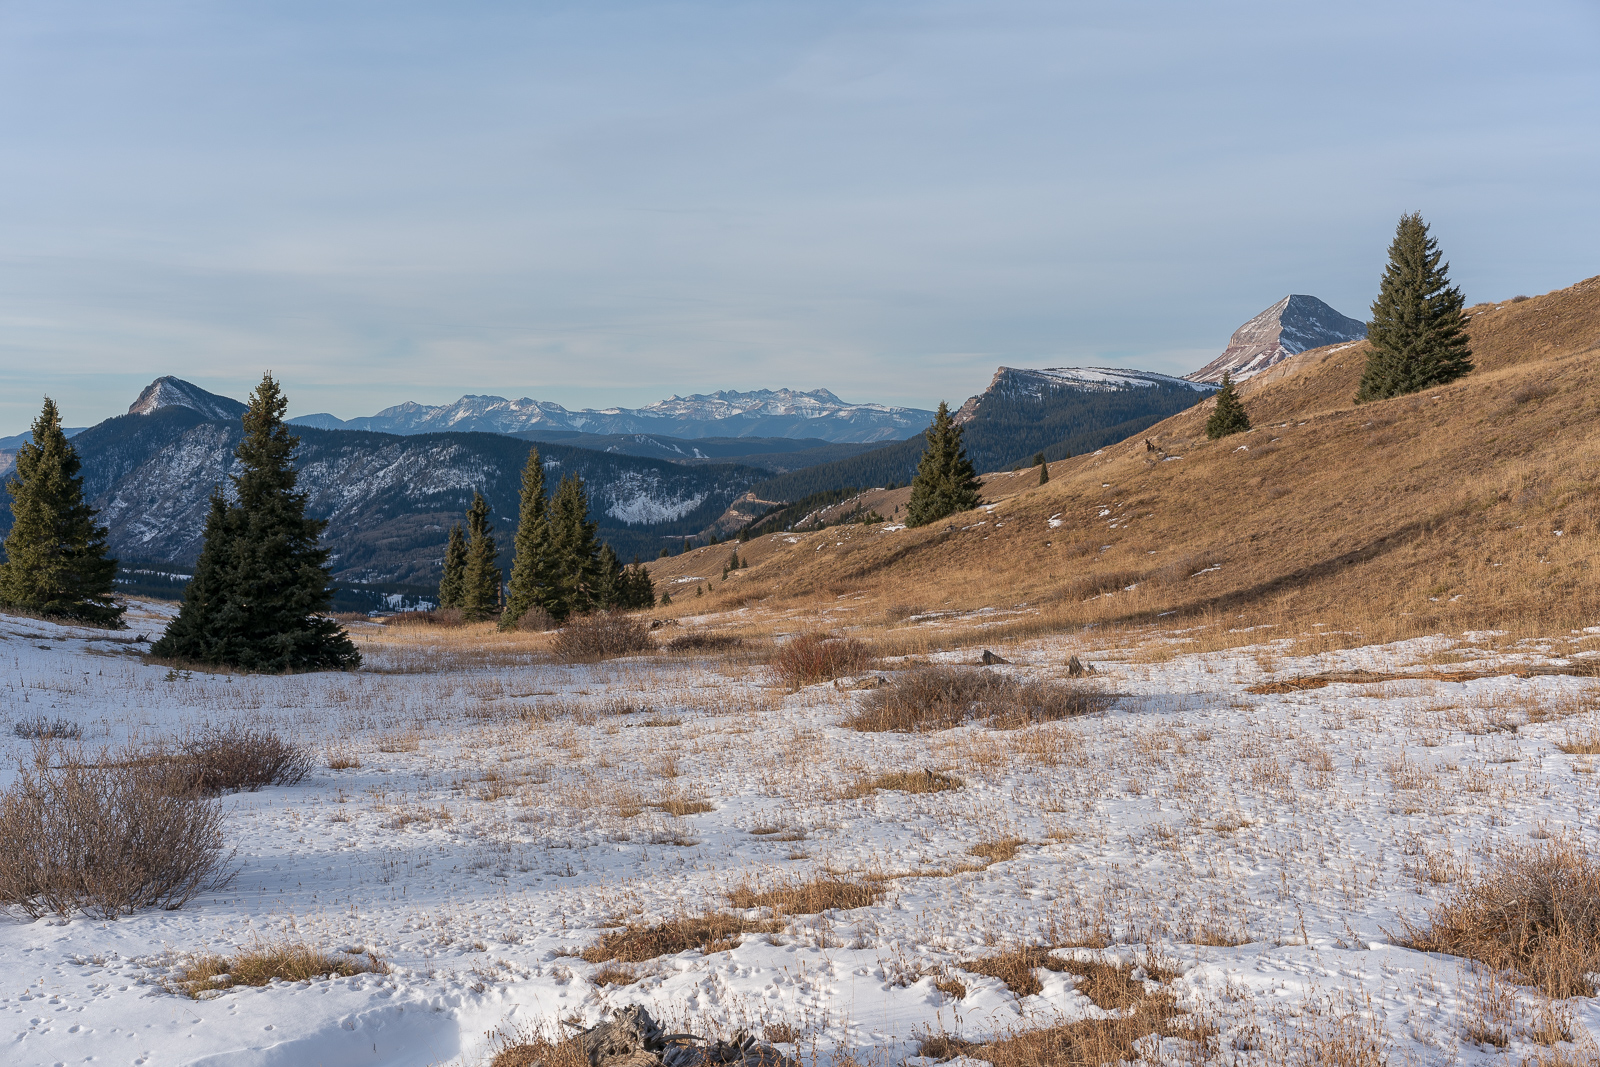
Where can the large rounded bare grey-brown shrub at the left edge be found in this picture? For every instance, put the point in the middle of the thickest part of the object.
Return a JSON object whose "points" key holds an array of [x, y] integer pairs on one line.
{"points": [[106, 839]]}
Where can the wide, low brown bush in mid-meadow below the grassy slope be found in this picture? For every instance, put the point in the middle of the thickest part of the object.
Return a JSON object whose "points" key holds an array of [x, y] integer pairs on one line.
{"points": [[940, 698]]}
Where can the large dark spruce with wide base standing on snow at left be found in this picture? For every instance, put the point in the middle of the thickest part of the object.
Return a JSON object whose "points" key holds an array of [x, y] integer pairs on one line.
{"points": [[262, 588]]}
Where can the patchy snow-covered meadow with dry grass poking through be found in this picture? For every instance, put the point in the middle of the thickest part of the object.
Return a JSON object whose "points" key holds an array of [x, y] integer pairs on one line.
{"points": [[506, 812]]}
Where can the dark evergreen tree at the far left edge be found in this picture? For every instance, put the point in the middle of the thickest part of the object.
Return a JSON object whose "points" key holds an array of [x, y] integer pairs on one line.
{"points": [[55, 556]]}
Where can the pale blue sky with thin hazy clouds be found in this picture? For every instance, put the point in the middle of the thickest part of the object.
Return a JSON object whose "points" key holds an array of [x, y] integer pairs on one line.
{"points": [[609, 204]]}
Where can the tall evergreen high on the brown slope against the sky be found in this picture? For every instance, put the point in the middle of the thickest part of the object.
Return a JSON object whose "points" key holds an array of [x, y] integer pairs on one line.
{"points": [[1418, 334]]}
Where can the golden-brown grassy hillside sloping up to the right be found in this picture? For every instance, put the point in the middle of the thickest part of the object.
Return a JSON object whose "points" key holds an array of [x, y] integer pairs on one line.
{"points": [[1441, 508]]}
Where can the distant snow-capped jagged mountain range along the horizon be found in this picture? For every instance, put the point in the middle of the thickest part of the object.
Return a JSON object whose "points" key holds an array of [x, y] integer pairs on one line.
{"points": [[726, 414]]}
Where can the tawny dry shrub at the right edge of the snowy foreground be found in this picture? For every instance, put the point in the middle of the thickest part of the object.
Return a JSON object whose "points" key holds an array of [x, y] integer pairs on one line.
{"points": [[1534, 914]]}
